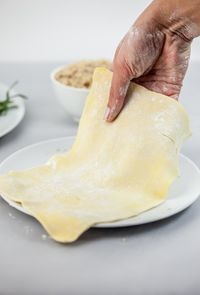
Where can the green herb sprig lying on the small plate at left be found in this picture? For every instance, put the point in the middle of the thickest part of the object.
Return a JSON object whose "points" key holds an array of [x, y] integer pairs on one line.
{"points": [[8, 104]]}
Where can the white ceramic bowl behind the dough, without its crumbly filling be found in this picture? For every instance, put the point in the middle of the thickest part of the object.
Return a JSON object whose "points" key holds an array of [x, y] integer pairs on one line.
{"points": [[72, 99]]}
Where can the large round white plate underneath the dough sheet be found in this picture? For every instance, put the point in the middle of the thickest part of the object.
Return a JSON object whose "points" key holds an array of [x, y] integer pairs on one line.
{"points": [[182, 194]]}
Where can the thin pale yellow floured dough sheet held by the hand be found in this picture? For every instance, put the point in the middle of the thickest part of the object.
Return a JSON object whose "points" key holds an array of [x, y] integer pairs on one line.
{"points": [[113, 171]]}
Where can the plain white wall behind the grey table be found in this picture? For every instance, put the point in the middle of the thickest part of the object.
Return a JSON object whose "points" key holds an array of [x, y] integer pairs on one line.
{"points": [[52, 30]]}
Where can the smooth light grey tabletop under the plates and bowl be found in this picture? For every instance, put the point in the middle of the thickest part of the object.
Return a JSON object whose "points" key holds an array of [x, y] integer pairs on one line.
{"points": [[157, 258]]}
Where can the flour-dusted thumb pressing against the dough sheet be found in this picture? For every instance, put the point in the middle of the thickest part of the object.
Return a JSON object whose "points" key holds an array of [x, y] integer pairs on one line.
{"points": [[118, 91]]}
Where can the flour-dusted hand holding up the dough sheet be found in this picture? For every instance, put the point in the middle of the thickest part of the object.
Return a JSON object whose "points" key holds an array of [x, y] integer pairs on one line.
{"points": [[155, 51]]}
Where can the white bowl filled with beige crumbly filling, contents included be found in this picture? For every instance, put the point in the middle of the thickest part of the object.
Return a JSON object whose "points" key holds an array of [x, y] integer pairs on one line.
{"points": [[72, 82]]}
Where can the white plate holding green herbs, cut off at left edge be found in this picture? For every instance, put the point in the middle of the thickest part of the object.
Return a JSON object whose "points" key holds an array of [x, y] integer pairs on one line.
{"points": [[14, 116]]}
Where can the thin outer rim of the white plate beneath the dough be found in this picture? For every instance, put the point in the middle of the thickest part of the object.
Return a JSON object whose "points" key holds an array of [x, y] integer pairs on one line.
{"points": [[114, 224]]}
